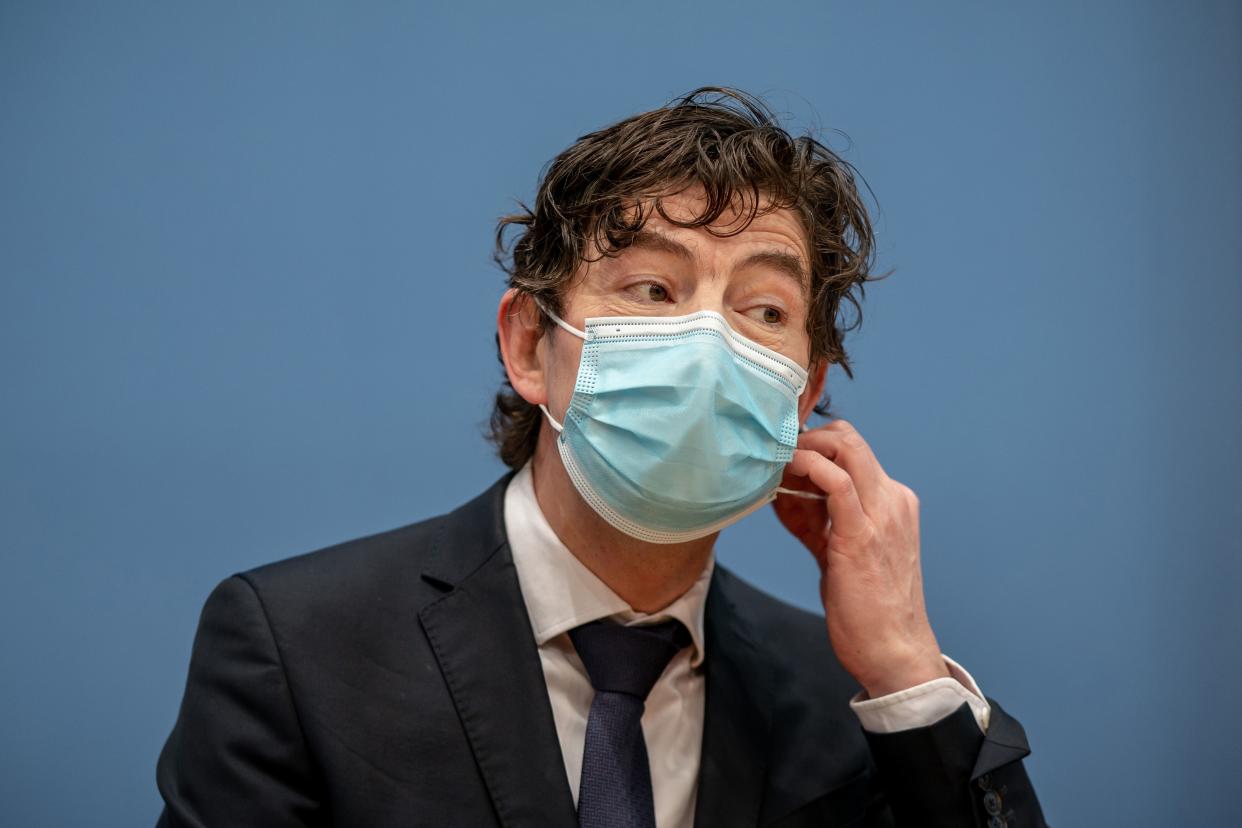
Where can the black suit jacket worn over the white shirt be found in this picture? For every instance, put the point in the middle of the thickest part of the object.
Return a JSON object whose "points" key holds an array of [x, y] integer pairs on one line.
{"points": [[394, 681]]}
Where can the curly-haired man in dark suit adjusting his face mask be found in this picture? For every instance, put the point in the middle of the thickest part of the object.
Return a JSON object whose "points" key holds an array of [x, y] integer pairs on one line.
{"points": [[564, 649]]}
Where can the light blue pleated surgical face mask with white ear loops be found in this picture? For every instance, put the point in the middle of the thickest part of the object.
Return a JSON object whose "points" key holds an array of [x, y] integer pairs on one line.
{"points": [[679, 426]]}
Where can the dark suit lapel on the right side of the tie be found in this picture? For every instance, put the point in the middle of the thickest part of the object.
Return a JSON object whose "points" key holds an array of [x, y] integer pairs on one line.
{"points": [[737, 721]]}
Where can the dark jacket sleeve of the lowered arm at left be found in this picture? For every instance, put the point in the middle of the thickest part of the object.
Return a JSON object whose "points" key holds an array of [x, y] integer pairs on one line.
{"points": [[237, 755]]}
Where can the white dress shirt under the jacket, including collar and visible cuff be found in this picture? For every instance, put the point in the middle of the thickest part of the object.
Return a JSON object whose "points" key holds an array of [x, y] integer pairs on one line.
{"points": [[561, 594]]}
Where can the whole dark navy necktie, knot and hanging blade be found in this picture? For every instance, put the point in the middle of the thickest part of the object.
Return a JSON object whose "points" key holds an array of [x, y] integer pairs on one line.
{"points": [[624, 665]]}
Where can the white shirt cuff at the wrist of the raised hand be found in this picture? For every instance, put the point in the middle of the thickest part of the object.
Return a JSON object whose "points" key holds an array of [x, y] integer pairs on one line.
{"points": [[923, 704]]}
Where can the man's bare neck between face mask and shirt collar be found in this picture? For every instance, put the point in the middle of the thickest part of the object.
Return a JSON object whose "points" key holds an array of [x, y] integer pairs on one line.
{"points": [[646, 577]]}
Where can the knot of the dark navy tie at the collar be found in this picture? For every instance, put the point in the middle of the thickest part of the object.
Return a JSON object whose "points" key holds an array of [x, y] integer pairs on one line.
{"points": [[628, 660]]}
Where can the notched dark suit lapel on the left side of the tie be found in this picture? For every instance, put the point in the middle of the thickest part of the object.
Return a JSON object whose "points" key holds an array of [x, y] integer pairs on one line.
{"points": [[481, 636]]}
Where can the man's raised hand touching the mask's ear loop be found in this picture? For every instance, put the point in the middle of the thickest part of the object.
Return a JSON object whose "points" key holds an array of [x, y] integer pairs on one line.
{"points": [[866, 539]]}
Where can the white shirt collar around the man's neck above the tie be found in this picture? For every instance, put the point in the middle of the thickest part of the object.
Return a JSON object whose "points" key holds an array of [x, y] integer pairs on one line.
{"points": [[562, 594]]}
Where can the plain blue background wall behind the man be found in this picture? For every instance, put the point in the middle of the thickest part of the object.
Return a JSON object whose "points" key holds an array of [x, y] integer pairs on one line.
{"points": [[248, 311]]}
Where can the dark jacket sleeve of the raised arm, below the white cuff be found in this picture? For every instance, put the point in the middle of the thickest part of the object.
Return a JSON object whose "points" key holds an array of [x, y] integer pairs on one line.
{"points": [[953, 775]]}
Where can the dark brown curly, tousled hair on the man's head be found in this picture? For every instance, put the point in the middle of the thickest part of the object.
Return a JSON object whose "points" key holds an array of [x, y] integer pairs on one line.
{"points": [[602, 191]]}
